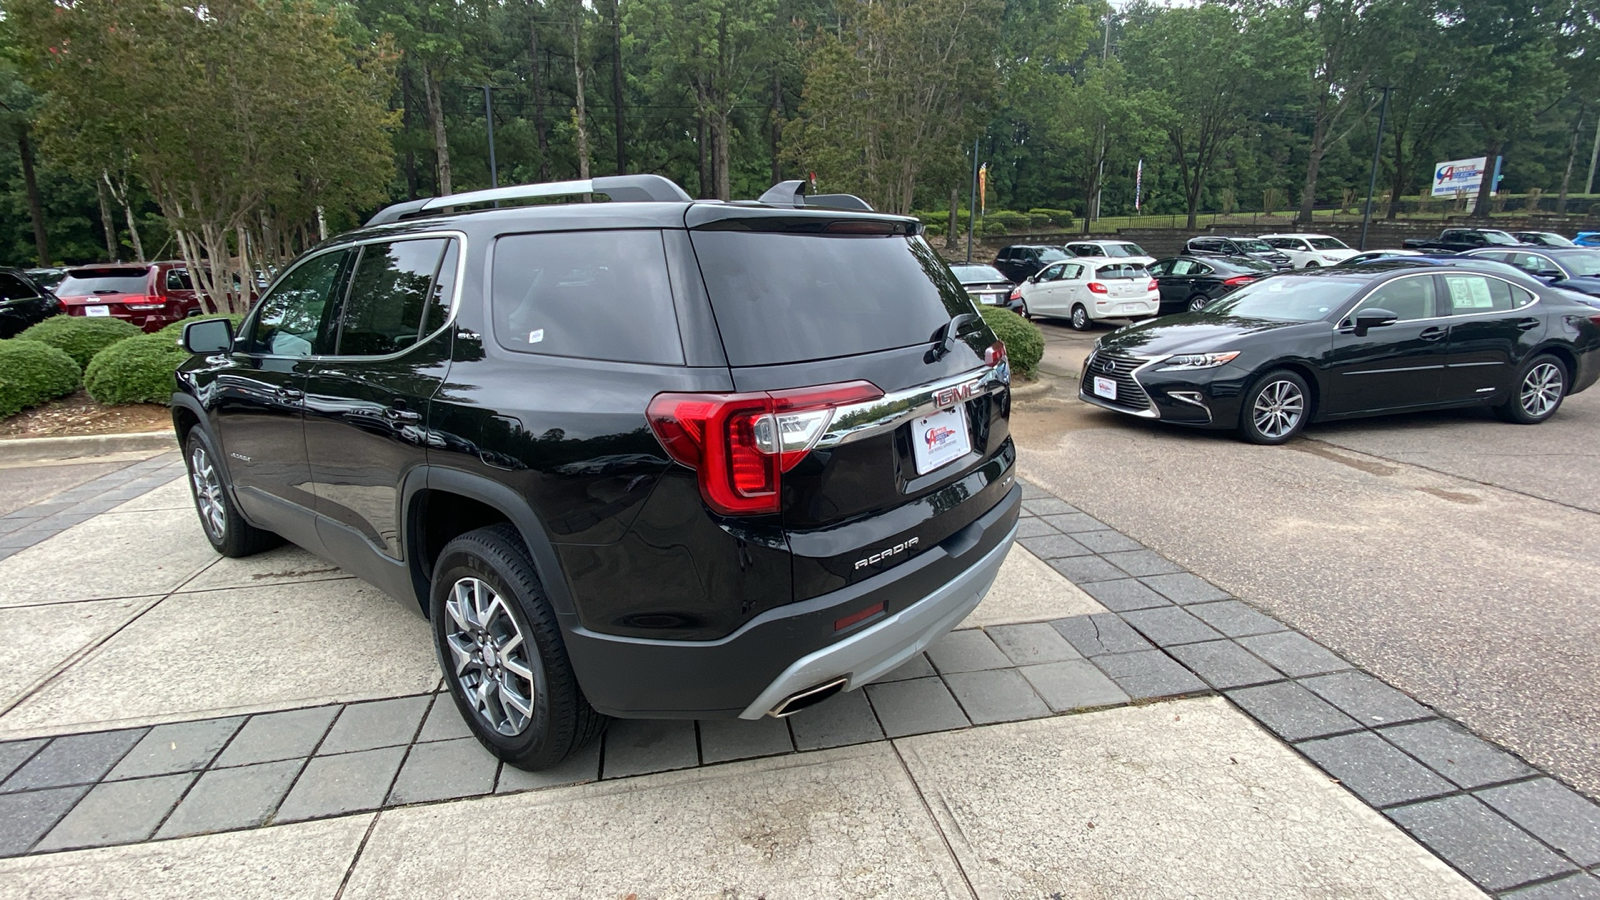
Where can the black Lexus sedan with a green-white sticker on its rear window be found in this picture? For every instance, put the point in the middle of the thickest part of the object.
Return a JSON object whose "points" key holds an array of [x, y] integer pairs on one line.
{"points": [[1345, 344]]}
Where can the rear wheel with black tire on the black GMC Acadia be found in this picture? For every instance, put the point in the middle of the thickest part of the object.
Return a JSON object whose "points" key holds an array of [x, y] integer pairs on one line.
{"points": [[558, 720]]}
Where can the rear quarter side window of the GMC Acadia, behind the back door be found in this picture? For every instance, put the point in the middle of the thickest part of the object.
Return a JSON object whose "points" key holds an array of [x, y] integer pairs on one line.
{"points": [[593, 295]]}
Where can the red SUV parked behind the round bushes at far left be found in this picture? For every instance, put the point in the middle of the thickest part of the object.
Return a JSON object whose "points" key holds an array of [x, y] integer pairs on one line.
{"points": [[151, 295]]}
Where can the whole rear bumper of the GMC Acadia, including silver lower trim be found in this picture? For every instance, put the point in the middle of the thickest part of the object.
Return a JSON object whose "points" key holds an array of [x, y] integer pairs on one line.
{"points": [[780, 653]]}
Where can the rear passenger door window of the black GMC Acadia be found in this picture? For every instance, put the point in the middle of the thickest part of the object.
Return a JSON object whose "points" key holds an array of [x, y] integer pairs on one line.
{"points": [[393, 297]]}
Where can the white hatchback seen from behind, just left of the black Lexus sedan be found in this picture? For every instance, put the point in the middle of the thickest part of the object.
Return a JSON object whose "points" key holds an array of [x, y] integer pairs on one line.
{"points": [[1092, 289]]}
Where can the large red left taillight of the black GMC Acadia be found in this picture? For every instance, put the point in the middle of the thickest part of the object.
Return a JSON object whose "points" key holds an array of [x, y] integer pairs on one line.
{"points": [[742, 444]]}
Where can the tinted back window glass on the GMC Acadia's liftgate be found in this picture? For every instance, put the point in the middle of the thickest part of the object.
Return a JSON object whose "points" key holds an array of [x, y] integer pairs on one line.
{"points": [[801, 297]]}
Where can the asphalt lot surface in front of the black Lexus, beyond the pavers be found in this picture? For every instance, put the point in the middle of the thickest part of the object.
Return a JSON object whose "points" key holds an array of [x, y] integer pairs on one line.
{"points": [[1452, 555]]}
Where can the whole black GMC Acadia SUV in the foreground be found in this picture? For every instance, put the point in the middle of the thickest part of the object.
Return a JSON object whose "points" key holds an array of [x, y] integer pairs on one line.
{"points": [[642, 459]]}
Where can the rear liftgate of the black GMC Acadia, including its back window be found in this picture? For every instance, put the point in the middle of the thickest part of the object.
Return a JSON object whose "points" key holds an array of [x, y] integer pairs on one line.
{"points": [[902, 464]]}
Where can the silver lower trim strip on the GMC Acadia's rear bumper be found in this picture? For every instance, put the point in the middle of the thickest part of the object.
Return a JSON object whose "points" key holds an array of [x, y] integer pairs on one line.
{"points": [[892, 643]]}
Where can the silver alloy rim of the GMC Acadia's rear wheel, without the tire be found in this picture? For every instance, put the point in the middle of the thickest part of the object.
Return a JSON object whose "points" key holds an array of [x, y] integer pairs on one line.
{"points": [[490, 657]]}
